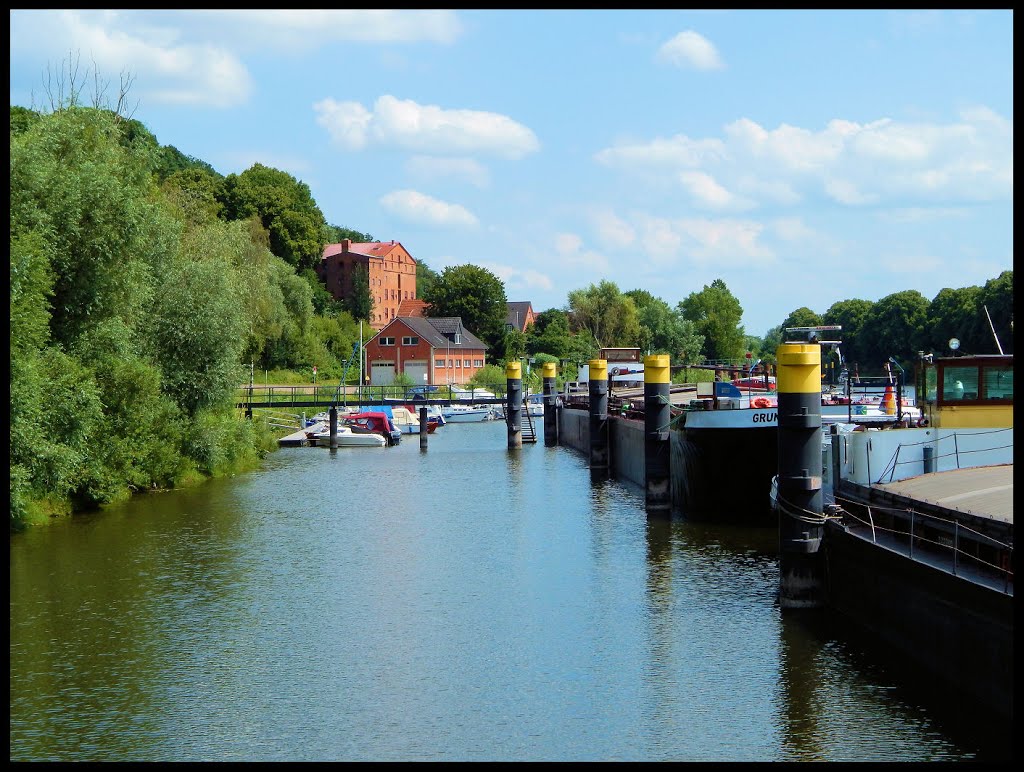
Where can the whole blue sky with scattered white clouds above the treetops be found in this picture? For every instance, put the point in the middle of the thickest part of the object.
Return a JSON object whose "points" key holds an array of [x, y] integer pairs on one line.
{"points": [[801, 157]]}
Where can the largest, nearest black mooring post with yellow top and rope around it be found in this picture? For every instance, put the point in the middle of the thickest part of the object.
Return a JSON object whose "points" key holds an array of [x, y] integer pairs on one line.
{"points": [[800, 500]]}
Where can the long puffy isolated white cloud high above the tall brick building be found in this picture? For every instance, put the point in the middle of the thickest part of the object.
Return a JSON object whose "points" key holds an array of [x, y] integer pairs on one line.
{"points": [[424, 128]]}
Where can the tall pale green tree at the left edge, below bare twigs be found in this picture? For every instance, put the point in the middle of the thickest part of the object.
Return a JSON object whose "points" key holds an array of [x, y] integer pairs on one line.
{"points": [[90, 200]]}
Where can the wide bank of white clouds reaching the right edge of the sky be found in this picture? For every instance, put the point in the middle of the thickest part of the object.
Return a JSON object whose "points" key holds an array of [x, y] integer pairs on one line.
{"points": [[885, 161]]}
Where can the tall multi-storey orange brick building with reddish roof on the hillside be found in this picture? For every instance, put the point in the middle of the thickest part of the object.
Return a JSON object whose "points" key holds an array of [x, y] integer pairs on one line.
{"points": [[391, 271]]}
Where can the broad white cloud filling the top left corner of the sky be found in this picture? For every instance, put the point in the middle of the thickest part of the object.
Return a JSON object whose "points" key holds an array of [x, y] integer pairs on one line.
{"points": [[194, 57]]}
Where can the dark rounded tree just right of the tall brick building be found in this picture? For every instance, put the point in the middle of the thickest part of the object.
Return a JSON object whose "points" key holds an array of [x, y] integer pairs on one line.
{"points": [[475, 294]]}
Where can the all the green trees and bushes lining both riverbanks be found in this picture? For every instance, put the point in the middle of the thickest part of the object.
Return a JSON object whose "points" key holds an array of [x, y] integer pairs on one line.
{"points": [[146, 288]]}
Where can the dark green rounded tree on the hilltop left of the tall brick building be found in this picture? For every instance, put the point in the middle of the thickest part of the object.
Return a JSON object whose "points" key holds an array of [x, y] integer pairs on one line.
{"points": [[286, 209]]}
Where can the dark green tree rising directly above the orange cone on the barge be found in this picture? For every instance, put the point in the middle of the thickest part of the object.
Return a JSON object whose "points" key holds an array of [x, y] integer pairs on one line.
{"points": [[894, 328]]}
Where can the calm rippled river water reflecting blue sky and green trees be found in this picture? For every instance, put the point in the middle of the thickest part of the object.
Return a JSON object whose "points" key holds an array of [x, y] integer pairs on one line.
{"points": [[471, 603]]}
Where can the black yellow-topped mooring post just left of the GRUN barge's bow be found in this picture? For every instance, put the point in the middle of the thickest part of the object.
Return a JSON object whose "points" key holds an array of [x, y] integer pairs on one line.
{"points": [[657, 447]]}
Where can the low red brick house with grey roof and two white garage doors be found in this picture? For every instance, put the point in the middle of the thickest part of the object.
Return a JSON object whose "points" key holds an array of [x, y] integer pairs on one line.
{"points": [[439, 349]]}
